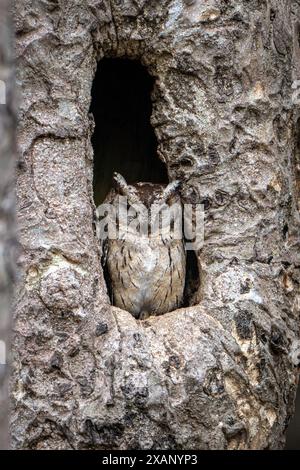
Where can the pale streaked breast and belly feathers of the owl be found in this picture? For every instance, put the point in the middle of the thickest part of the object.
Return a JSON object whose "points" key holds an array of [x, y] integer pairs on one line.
{"points": [[147, 277]]}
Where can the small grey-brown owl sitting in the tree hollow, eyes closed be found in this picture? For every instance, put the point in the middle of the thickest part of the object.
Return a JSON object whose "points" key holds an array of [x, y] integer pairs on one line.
{"points": [[145, 267]]}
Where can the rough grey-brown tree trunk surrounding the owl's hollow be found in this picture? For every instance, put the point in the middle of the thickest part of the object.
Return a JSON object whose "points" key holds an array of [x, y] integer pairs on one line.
{"points": [[219, 375]]}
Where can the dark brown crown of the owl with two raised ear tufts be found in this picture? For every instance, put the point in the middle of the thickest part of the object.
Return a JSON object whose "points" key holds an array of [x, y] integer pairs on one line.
{"points": [[147, 193]]}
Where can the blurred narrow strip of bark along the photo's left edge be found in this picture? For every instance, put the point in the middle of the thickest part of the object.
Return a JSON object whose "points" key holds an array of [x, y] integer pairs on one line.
{"points": [[7, 206]]}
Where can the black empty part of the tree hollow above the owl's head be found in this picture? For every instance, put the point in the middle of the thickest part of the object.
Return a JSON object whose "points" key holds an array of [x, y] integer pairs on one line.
{"points": [[123, 140]]}
